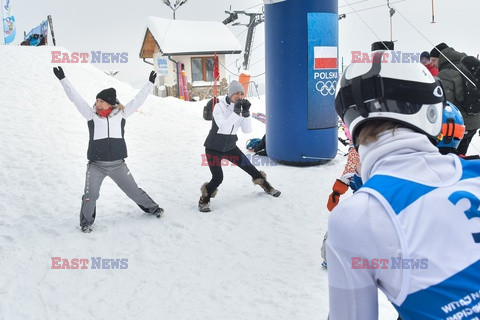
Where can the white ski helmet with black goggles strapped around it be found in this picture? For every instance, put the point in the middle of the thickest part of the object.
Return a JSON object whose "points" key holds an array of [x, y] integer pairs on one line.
{"points": [[389, 89]]}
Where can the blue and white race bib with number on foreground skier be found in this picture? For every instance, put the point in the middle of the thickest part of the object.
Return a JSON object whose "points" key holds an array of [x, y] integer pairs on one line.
{"points": [[438, 231]]}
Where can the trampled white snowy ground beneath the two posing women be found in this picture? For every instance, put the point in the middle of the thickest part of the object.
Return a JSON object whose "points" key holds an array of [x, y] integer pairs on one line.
{"points": [[252, 257]]}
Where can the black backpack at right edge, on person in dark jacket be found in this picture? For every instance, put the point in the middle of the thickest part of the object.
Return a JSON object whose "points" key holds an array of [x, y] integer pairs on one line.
{"points": [[470, 66]]}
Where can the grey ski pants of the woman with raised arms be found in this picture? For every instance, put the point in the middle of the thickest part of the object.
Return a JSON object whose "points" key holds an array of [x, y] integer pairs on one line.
{"points": [[120, 174]]}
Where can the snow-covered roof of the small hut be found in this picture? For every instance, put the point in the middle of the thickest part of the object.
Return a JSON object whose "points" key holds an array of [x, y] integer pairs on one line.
{"points": [[185, 37]]}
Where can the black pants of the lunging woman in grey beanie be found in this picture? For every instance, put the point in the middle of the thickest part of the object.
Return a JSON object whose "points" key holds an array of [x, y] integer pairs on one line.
{"points": [[217, 159]]}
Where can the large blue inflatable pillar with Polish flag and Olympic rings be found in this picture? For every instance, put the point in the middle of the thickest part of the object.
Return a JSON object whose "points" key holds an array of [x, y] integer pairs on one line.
{"points": [[301, 50]]}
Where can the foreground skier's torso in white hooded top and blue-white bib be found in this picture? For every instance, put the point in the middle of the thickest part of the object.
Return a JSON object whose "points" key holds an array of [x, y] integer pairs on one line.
{"points": [[412, 231]]}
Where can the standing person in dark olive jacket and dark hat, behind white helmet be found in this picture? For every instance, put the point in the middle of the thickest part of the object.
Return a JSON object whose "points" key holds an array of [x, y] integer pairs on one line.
{"points": [[453, 84]]}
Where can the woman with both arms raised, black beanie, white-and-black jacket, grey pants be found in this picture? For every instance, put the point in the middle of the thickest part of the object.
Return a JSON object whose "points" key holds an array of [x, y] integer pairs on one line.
{"points": [[106, 148]]}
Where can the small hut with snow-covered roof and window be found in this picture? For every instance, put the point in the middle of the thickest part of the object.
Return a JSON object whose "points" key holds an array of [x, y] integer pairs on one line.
{"points": [[193, 44]]}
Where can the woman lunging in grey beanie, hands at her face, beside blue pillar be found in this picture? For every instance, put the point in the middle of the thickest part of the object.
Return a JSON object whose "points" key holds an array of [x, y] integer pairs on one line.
{"points": [[231, 113]]}
